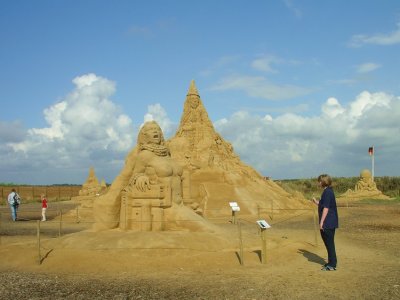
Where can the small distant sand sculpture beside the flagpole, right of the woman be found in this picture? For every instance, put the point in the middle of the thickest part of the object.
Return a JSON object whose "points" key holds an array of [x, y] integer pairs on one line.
{"points": [[365, 188]]}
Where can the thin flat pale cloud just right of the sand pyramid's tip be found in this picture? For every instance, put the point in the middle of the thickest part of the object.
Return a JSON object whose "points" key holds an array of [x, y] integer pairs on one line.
{"points": [[260, 87]]}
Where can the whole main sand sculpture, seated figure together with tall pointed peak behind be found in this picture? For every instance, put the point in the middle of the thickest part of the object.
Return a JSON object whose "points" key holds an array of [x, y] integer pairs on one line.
{"points": [[178, 184]]}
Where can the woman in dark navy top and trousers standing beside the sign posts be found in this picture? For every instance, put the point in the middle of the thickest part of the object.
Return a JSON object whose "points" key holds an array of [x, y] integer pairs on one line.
{"points": [[328, 219]]}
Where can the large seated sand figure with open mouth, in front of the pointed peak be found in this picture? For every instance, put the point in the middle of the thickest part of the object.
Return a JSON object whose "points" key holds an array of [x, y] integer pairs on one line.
{"points": [[148, 194]]}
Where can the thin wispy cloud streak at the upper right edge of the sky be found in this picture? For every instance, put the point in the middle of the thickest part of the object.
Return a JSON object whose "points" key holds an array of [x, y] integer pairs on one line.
{"points": [[382, 39]]}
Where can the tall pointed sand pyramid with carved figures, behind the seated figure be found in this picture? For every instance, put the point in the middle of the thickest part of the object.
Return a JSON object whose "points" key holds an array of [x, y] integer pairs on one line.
{"points": [[217, 175]]}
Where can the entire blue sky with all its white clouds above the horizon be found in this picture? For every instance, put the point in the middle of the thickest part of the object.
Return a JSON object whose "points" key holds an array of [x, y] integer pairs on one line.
{"points": [[298, 87]]}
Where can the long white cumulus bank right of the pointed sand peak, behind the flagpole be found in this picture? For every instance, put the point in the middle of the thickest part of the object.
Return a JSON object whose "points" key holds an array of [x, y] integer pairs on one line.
{"points": [[335, 141]]}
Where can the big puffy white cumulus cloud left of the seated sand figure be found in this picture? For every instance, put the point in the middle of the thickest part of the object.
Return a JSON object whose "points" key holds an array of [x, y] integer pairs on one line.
{"points": [[84, 129]]}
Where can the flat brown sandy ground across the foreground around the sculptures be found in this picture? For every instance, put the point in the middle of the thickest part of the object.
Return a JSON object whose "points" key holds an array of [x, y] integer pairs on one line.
{"points": [[184, 265]]}
